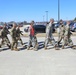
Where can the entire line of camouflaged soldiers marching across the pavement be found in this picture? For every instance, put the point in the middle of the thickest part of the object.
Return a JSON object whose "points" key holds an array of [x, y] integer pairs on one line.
{"points": [[64, 34]]}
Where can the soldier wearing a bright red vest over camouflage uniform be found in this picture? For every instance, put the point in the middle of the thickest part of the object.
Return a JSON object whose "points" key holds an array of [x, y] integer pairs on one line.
{"points": [[32, 37]]}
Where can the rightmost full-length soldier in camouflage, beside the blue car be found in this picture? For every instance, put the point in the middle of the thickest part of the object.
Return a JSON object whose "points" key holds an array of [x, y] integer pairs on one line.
{"points": [[67, 38]]}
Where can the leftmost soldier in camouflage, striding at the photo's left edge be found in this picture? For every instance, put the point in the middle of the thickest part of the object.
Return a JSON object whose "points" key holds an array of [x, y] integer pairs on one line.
{"points": [[4, 33]]}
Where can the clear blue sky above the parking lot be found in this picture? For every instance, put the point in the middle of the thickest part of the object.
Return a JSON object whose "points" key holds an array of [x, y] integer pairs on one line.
{"points": [[27, 10]]}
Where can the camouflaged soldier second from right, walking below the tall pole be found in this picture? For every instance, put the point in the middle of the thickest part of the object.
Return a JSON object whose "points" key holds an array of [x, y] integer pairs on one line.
{"points": [[61, 34]]}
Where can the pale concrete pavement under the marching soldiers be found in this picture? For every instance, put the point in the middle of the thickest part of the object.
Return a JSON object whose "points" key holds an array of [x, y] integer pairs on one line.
{"points": [[41, 62]]}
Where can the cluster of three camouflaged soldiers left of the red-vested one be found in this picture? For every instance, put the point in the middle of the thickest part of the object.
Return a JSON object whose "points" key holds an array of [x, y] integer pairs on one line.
{"points": [[15, 35]]}
